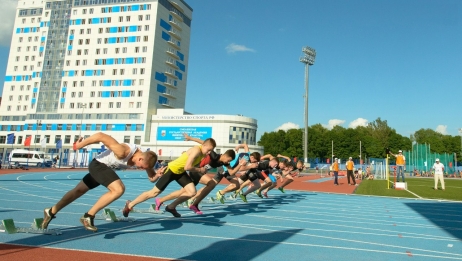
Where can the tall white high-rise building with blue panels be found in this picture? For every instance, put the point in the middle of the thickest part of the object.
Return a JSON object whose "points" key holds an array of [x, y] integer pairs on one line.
{"points": [[78, 66]]}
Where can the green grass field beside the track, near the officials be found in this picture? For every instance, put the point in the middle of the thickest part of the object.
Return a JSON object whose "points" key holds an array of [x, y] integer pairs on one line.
{"points": [[422, 187]]}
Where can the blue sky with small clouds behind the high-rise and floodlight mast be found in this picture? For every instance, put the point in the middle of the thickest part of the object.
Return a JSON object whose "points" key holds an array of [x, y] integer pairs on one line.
{"points": [[399, 60]]}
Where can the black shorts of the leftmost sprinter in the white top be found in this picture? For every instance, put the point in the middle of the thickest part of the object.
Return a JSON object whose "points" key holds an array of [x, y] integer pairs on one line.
{"points": [[100, 174]]}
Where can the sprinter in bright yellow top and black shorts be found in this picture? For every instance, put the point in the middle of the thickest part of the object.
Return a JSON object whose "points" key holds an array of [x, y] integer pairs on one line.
{"points": [[176, 170]]}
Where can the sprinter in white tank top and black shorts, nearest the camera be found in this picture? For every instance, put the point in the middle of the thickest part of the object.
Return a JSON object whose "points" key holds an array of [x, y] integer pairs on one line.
{"points": [[118, 155]]}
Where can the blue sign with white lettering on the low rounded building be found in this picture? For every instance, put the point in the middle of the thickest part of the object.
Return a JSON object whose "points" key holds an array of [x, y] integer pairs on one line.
{"points": [[176, 133]]}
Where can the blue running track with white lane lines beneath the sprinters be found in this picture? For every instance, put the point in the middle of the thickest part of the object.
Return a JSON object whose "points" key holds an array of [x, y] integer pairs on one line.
{"points": [[292, 226]]}
